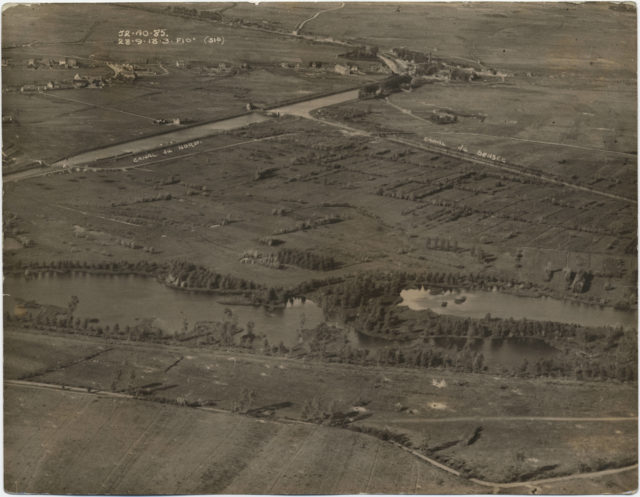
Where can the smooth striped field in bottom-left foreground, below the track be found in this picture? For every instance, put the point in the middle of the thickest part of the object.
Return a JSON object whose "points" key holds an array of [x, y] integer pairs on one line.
{"points": [[105, 445]]}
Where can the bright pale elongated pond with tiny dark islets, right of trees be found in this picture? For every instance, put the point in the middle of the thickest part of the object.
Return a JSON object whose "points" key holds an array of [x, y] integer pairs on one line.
{"points": [[478, 304]]}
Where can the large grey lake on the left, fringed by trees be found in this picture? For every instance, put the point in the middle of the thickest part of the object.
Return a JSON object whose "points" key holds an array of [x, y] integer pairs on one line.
{"points": [[127, 299]]}
